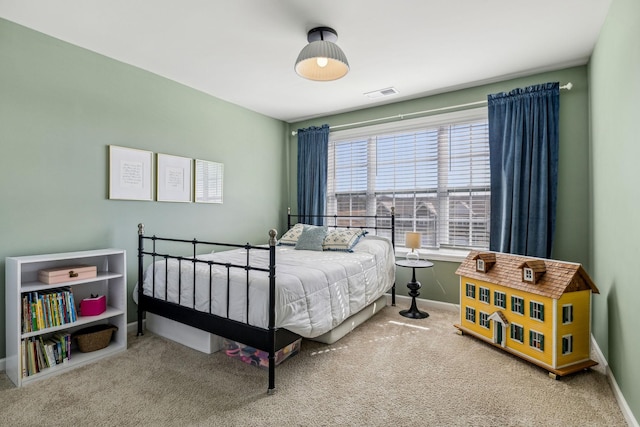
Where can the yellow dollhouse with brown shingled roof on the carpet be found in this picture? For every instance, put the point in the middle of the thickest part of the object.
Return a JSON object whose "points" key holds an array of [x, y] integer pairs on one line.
{"points": [[537, 309]]}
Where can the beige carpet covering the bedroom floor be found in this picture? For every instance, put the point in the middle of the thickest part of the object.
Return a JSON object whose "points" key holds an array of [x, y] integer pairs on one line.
{"points": [[390, 371]]}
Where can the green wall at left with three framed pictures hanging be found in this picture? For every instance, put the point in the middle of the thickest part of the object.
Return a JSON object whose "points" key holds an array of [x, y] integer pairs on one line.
{"points": [[62, 106]]}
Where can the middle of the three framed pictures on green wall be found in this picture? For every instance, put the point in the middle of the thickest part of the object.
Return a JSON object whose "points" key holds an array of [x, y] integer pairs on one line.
{"points": [[174, 178]]}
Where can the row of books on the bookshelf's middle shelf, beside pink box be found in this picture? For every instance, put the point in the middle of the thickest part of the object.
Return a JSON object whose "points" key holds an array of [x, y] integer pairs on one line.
{"points": [[42, 310]]}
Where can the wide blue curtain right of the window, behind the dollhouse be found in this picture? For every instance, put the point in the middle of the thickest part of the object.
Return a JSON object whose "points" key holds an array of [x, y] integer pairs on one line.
{"points": [[523, 143]]}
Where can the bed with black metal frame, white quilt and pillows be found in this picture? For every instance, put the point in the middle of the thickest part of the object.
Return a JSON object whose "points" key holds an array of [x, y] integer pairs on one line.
{"points": [[269, 296]]}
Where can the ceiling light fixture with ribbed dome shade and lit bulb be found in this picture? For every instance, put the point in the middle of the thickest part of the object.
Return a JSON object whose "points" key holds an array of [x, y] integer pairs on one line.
{"points": [[322, 59]]}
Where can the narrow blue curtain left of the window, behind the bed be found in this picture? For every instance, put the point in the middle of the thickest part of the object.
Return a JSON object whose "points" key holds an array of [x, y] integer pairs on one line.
{"points": [[313, 148]]}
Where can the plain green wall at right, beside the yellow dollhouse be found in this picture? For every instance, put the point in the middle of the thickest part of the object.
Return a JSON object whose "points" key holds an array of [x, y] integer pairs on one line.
{"points": [[614, 83]]}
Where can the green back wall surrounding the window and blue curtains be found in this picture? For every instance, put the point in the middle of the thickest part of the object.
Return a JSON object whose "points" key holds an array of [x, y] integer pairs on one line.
{"points": [[572, 238]]}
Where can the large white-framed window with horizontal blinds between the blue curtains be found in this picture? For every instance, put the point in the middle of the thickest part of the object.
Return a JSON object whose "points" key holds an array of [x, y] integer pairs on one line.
{"points": [[434, 171]]}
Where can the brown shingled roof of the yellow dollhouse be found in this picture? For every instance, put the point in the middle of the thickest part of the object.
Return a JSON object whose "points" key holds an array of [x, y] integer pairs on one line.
{"points": [[559, 277]]}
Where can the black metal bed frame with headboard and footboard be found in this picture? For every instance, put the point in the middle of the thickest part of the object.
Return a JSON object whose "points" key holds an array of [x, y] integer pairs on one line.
{"points": [[268, 340]]}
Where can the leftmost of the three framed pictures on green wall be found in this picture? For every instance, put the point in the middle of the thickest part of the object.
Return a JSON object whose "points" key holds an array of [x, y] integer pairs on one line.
{"points": [[130, 174]]}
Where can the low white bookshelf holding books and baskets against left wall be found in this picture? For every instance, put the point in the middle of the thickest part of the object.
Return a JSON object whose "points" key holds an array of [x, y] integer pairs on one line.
{"points": [[22, 278]]}
